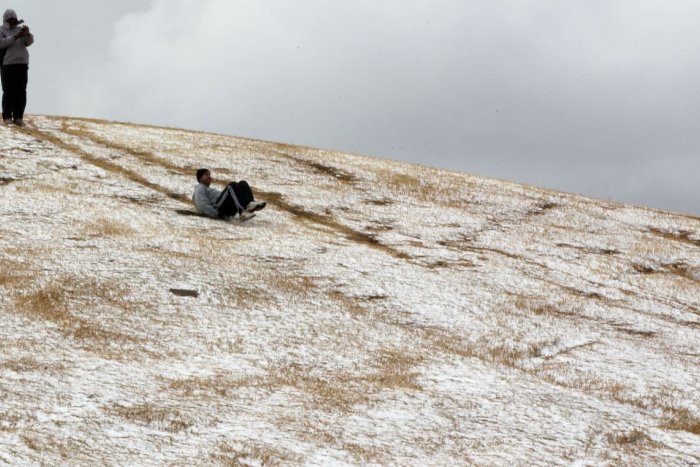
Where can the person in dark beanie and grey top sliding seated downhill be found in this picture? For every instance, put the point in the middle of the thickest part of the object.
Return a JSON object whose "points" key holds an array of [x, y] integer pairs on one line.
{"points": [[237, 198]]}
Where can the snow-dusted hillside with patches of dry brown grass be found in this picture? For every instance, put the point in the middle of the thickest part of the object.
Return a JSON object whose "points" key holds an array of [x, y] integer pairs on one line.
{"points": [[375, 313]]}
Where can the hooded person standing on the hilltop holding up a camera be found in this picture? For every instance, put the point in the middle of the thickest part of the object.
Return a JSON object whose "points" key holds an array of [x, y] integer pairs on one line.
{"points": [[14, 41]]}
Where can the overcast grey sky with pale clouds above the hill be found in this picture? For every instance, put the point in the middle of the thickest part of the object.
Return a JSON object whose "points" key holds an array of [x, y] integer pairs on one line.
{"points": [[596, 97]]}
